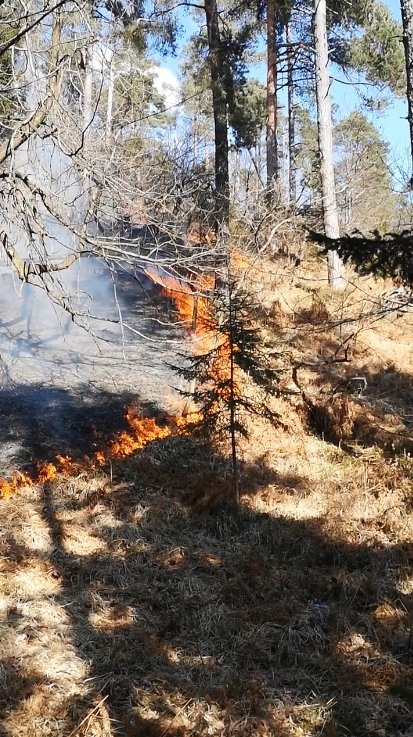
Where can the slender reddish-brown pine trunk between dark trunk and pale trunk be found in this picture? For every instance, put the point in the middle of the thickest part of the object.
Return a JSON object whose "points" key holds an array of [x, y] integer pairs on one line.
{"points": [[272, 147]]}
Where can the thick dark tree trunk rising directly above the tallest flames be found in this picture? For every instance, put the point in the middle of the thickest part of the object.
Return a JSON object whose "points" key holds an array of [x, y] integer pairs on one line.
{"points": [[219, 99]]}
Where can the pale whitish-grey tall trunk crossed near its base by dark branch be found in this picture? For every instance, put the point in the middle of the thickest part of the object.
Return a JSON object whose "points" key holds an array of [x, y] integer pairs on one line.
{"points": [[325, 143]]}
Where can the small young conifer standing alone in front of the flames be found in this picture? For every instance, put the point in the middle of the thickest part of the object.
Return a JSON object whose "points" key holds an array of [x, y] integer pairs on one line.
{"points": [[233, 351]]}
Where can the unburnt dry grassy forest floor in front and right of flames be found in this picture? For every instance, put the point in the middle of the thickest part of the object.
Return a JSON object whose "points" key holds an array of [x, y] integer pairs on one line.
{"points": [[135, 601]]}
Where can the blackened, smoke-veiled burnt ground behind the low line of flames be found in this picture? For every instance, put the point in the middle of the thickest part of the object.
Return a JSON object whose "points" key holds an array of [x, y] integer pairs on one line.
{"points": [[65, 387]]}
